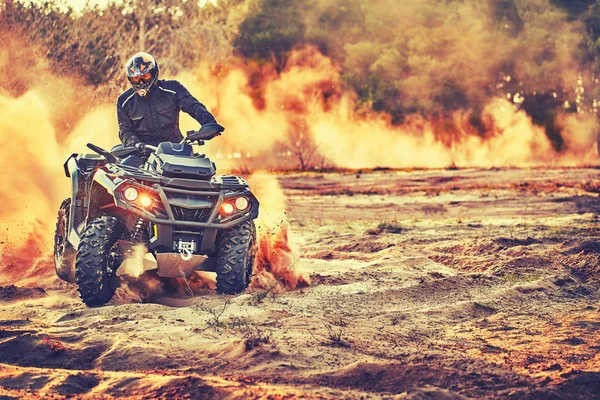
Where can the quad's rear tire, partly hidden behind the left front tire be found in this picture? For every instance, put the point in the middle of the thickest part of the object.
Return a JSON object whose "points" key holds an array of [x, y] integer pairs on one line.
{"points": [[64, 252]]}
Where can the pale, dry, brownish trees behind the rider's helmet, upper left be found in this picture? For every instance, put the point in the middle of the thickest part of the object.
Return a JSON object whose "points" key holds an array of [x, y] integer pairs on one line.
{"points": [[96, 42]]}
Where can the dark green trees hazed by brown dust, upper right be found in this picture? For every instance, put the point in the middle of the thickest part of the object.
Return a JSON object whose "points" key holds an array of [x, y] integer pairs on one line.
{"points": [[434, 57]]}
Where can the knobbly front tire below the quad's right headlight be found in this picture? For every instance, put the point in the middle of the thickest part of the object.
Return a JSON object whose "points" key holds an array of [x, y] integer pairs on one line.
{"points": [[235, 255]]}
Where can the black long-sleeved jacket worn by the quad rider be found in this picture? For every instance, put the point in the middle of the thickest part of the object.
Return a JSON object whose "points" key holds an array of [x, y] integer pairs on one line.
{"points": [[155, 118]]}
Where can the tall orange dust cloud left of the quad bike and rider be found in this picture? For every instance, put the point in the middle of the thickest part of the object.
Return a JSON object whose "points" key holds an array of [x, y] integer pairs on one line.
{"points": [[42, 121]]}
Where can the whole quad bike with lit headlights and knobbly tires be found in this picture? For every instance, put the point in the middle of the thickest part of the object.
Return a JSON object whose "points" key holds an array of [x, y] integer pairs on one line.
{"points": [[186, 217]]}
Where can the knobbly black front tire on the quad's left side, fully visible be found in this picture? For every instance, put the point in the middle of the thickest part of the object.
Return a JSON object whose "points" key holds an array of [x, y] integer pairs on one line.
{"points": [[94, 269]]}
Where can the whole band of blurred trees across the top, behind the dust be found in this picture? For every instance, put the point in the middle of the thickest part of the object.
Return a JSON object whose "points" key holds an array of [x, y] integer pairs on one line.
{"points": [[430, 57]]}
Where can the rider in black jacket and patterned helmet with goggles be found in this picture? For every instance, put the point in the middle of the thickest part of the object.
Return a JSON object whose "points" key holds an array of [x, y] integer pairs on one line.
{"points": [[148, 112]]}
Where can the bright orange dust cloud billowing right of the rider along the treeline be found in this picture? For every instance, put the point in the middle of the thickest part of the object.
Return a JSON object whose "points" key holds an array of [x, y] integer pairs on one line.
{"points": [[293, 106]]}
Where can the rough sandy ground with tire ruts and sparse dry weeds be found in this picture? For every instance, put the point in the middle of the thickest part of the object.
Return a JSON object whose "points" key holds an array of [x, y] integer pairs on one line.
{"points": [[424, 285]]}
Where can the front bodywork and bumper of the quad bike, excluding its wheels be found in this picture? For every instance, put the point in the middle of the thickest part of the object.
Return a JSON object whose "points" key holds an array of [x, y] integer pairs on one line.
{"points": [[184, 219]]}
